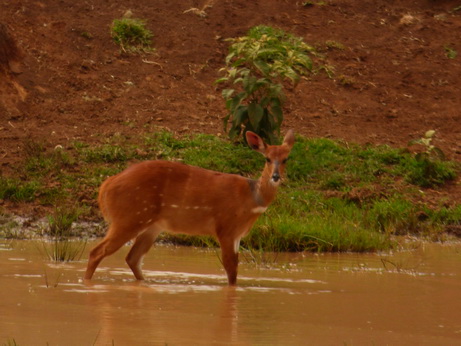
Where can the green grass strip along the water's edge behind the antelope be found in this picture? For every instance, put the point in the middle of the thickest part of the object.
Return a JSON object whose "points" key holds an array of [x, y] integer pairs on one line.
{"points": [[337, 196]]}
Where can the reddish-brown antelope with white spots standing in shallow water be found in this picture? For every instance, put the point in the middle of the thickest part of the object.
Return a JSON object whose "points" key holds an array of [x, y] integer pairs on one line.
{"points": [[154, 196]]}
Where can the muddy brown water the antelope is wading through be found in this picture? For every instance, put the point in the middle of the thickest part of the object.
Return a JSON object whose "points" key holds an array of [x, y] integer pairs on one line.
{"points": [[407, 298]]}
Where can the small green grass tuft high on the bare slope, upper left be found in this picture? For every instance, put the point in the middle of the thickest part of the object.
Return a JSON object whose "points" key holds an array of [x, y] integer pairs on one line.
{"points": [[131, 35]]}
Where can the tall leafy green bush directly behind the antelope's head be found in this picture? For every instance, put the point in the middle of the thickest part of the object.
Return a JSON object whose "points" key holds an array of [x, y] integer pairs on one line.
{"points": [[256, 67]]}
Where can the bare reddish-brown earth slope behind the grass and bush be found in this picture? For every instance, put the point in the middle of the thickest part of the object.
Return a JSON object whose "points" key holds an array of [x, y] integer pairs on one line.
{"points": [[393, 79]]}
